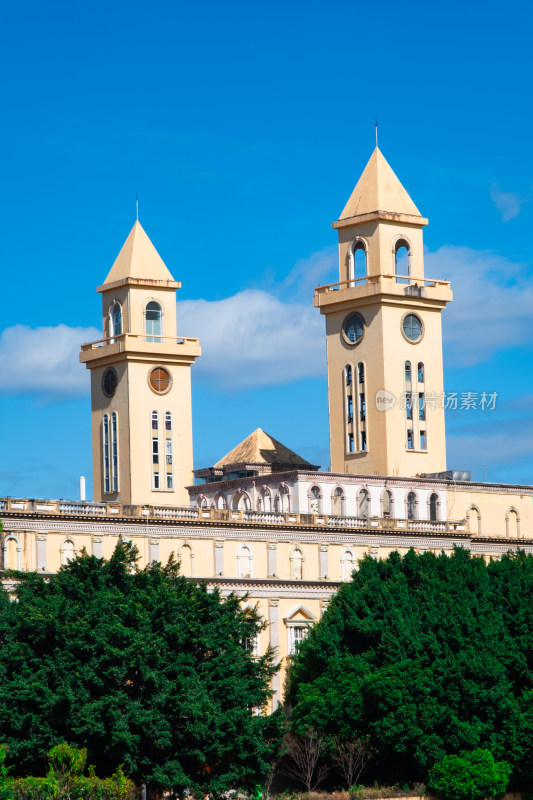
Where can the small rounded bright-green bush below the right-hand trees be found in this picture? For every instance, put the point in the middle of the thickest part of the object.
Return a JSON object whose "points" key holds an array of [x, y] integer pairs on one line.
{"points": [[472, 775]]}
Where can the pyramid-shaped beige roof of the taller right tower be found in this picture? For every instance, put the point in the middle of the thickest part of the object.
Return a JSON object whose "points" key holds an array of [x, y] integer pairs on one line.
{"points": [[378, 189]]}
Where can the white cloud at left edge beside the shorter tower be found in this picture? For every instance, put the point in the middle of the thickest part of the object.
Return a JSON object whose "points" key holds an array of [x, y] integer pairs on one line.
{"points": [[44, 361]]}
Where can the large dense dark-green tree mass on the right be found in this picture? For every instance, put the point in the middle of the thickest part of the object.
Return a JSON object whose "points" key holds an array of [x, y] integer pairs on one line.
{"points": [[427, 656]]}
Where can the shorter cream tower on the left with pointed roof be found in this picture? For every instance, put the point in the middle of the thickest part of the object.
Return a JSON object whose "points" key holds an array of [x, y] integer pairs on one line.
{"points": [[141, 383]]}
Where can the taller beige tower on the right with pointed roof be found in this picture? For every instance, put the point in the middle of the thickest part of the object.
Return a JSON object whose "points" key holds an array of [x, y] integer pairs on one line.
{"points": [[384, 337]]}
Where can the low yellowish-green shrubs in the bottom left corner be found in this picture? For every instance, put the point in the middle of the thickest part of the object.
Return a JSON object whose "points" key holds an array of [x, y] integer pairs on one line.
{"points": [[65, 780]]}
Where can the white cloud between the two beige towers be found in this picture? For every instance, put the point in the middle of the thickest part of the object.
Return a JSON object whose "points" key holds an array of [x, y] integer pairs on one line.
{"points": [[253, 339]]}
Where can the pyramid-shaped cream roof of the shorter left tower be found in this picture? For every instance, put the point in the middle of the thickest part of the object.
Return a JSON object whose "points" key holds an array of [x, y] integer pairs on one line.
{"points": [[138, 259]]}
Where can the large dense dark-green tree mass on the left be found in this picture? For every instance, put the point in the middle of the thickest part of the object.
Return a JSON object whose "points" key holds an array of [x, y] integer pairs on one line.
{"points": [[141, 667]]}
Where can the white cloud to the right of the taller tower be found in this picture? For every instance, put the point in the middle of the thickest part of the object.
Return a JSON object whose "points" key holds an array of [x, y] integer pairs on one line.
{"points": [[492, 306]]}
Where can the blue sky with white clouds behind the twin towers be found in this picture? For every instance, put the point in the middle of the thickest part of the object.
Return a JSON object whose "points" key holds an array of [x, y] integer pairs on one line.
{"points": [[243, 128]]}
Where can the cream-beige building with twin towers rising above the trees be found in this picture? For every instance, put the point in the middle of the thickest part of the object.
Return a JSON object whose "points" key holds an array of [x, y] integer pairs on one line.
{"points": [[263, 521]]}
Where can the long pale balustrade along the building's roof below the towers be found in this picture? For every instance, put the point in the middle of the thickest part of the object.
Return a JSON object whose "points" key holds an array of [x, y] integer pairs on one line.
{"points": [[236, 516]]}
